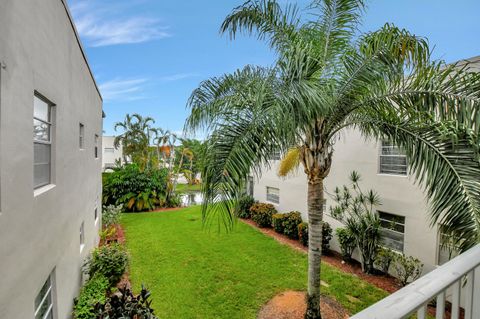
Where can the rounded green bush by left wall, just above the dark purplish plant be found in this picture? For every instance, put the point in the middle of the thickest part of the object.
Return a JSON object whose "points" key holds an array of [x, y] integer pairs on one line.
{"points": [[110, 261]]}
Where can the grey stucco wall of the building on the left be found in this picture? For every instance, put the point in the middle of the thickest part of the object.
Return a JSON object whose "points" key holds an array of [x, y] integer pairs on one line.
{"points": [[39, 230]]}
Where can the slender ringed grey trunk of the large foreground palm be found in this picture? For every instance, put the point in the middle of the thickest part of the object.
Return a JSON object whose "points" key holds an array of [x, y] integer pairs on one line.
{"points": [[315, 221]]}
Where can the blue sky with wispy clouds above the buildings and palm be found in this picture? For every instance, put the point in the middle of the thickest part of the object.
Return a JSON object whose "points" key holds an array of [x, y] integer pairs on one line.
{"points": [[148, 55]]}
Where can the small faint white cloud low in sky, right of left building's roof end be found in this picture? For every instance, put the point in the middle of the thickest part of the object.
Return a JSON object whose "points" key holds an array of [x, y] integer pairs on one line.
{"points": [[122, 89]]}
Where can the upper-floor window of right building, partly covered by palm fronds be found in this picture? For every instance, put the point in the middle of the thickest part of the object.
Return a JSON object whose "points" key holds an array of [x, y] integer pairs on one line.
{"points": [[392, 159]]}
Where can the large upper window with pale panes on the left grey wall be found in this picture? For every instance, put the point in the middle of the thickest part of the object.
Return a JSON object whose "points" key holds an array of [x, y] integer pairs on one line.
{"points": [[42, 142]]}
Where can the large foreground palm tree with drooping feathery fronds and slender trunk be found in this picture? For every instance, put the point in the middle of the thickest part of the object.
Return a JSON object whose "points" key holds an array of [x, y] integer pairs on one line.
{"points": [[326, 80]]}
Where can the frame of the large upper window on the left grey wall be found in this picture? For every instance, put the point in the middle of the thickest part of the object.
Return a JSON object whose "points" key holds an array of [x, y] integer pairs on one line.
{"points": [[49, 142]]}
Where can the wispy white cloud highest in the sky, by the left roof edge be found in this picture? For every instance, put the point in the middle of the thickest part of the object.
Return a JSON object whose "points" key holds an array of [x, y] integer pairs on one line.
{"points": [[98, 25]]}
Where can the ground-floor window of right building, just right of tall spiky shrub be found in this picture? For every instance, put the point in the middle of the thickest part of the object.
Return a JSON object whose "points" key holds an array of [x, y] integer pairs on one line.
{"points": [[392, 230]]}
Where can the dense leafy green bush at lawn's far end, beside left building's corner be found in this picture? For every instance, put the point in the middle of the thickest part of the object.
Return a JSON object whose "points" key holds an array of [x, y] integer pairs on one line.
{"points": [[134, 189]]}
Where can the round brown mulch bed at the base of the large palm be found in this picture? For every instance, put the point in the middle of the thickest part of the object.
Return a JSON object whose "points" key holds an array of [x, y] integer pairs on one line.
{"points": [[292, 305]]}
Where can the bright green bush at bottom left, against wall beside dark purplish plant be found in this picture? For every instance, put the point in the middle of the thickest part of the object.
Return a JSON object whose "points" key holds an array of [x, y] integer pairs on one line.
{"points": [[94, 291]]}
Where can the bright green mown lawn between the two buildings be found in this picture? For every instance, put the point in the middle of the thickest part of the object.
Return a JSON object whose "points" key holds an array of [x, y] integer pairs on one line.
{"points": [[196, 273]]}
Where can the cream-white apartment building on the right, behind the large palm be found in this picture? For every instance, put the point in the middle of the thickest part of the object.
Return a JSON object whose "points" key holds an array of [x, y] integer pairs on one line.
{"points": [[383, 168]]}
